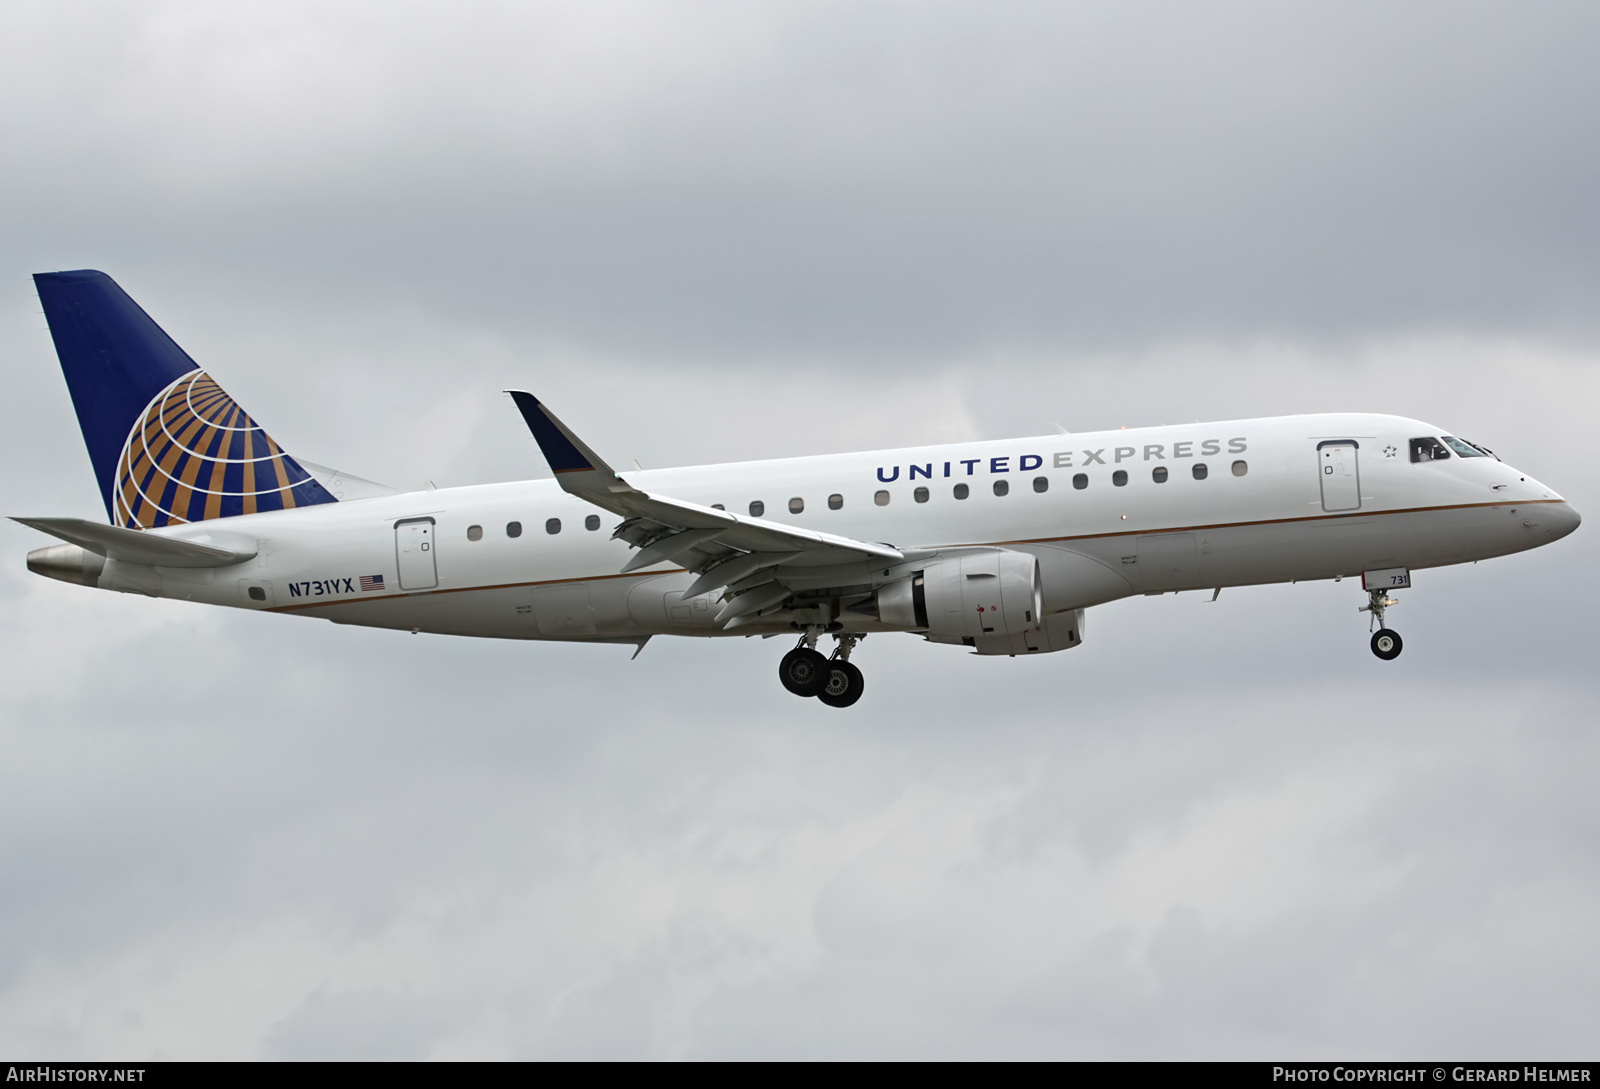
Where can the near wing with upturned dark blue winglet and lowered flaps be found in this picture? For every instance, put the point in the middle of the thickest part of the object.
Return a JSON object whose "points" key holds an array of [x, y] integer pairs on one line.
{"points": [[722, 548]]}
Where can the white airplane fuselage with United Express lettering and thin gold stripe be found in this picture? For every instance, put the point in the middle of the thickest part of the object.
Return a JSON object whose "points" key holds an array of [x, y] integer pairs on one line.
{"points": [[1271, 508]]}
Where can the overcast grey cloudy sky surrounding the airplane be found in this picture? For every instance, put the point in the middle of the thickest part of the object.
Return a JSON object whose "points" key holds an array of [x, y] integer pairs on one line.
{"points": [[710, 233]]}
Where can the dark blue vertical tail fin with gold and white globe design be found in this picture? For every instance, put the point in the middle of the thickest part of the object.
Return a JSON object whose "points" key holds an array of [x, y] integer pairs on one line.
{"points": [[167, 444]]}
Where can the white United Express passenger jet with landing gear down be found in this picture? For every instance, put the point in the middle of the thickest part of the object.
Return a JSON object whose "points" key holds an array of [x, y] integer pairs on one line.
{"points": [[994, 546]]}
